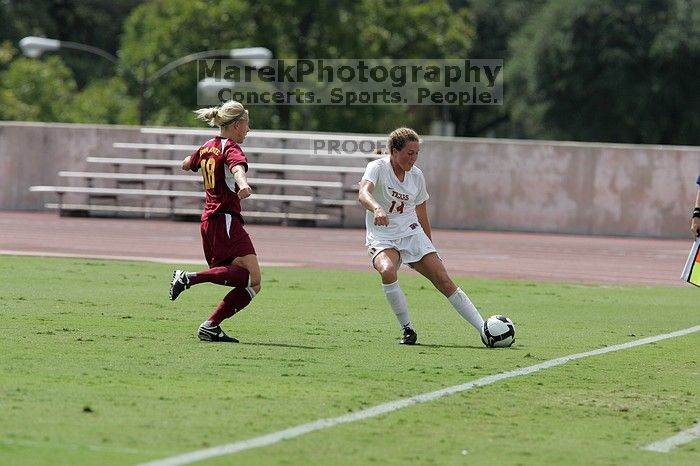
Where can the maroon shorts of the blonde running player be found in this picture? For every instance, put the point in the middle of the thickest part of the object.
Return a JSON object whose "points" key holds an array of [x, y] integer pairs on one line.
{"points": [[224, 239]]}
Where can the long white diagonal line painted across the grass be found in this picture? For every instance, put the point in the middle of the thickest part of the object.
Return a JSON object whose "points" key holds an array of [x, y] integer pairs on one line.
{"points": [[297, 431]]}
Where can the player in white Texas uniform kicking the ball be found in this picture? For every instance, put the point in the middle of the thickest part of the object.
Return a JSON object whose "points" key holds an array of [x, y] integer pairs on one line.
{"points": [[393, 192]]}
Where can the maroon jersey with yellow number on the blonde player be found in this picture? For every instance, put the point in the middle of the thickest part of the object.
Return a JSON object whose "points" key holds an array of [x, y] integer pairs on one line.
{"points": [[215, 159]]}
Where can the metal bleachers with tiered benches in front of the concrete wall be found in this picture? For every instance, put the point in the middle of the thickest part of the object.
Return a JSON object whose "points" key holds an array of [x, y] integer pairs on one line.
{"points": [[145, 180]]}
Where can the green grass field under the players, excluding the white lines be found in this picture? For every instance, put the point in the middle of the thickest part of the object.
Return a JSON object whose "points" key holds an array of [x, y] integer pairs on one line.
{"points": [[98, 367]]}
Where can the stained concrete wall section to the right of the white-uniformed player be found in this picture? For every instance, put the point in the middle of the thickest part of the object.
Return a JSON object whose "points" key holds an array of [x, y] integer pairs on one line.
{"points": [[582, 188]]}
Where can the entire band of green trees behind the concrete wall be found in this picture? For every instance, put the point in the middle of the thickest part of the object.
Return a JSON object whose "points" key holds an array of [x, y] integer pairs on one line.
{"points": [[598, 70]]}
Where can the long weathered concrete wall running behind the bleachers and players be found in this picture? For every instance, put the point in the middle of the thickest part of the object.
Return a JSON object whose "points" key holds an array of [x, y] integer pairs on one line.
{"points": [[489, 184]]}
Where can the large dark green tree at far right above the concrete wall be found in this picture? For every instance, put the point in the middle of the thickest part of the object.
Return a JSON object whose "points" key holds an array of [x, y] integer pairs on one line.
{"points": [[601, 70]]}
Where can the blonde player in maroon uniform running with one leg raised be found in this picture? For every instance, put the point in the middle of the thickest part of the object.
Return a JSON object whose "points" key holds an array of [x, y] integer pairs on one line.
{"points": [[227, 246]]}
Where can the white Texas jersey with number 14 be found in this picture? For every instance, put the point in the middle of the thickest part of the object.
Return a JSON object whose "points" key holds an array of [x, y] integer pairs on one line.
{"points": [[398, 199]]}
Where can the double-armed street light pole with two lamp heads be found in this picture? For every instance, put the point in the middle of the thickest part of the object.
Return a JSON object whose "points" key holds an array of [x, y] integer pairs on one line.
{"points": [[33, 47]]}
